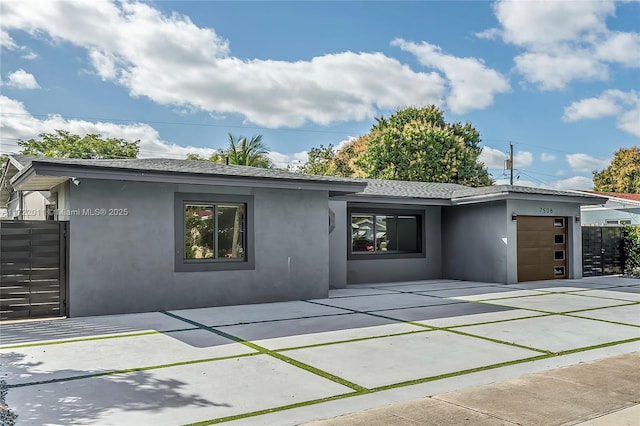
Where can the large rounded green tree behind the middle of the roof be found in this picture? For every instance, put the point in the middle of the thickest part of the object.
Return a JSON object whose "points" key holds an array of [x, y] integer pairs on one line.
{"points": [[416, 144]]}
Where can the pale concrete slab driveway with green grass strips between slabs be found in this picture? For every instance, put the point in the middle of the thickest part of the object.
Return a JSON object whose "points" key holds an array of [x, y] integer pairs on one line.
{"points": [[294, 362]]}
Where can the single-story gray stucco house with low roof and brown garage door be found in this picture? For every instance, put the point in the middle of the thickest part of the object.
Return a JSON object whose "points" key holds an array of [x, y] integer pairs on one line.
{"points": [[156, 234]]}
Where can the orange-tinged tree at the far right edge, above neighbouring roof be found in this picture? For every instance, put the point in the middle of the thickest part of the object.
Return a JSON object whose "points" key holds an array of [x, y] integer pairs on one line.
{"points": [[622, 175]]}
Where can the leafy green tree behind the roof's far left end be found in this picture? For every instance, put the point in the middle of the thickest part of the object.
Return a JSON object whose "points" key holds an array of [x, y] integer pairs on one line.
{"points": [[63, 144]]}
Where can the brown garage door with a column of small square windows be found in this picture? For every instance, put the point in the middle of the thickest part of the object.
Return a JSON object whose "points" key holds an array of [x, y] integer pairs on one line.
{"points": [[542, 248]]}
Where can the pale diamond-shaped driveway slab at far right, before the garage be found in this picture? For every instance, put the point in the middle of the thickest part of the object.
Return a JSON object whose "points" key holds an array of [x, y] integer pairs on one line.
{"points": [[557, 302]]}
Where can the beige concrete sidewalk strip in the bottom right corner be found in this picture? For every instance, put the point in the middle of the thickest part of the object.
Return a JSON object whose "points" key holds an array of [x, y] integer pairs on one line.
{"points": [[603, 392]]}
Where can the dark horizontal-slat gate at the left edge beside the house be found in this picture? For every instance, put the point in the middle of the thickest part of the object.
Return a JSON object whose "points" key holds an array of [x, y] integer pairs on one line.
{"points": [[32, 269]]}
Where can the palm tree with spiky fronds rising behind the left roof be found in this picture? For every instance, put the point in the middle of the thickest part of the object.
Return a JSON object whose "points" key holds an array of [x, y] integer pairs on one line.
{"points": [[240, 151]]}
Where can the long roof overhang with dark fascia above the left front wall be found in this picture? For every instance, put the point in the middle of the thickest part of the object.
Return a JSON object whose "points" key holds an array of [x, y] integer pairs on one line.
{"points": [[44, 175]]}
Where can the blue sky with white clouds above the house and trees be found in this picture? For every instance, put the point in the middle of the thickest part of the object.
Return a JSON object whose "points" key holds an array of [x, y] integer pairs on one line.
{"points": [[560, 80]]}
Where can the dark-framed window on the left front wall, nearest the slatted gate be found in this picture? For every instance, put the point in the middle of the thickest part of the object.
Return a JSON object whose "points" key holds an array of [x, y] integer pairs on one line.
{"points": [[213, 232]]}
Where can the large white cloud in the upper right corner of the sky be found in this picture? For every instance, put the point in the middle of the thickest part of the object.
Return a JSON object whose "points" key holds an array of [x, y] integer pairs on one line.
{"points": [[564, 41]]}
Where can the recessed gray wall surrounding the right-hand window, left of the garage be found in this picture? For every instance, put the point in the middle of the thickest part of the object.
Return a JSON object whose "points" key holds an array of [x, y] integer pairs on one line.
{"points": [[376, 269]]}
